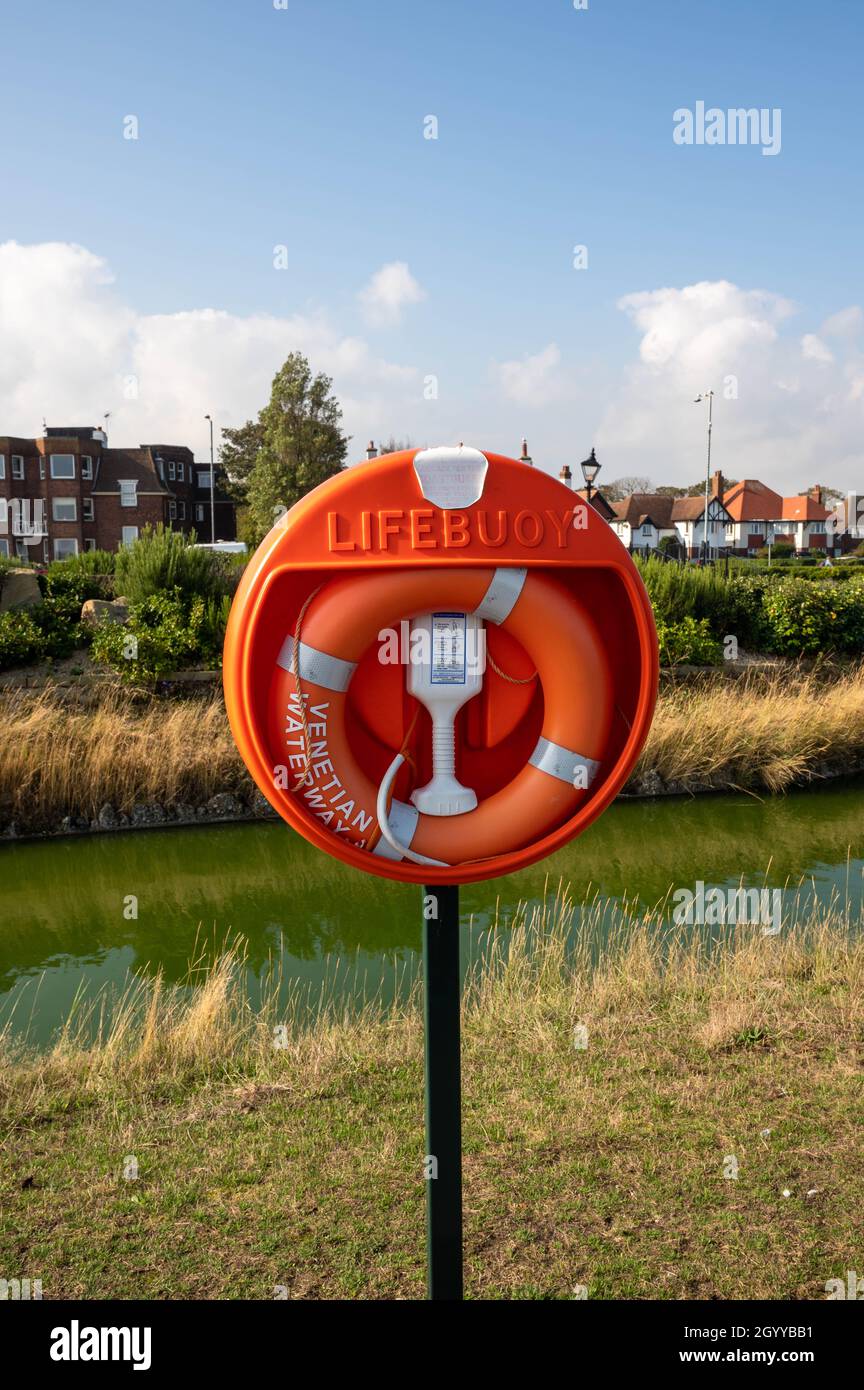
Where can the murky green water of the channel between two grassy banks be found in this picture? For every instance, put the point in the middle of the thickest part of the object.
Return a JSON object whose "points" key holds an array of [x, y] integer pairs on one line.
{"points": [[66, 904]]}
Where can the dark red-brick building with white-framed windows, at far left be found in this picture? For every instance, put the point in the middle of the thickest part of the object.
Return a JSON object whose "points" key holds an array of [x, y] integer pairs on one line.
{"points": [[67, 493]]}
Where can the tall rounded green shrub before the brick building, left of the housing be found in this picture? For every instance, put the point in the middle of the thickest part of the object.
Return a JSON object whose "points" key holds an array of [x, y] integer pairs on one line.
{"points": [[163, 562]]}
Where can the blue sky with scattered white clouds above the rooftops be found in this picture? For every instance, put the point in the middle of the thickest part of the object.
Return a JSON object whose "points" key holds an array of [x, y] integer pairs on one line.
{"points": [[305, 127]]}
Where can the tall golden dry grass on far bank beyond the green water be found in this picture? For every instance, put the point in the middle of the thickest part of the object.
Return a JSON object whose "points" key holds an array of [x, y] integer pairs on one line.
{"points": [[62, 760]]}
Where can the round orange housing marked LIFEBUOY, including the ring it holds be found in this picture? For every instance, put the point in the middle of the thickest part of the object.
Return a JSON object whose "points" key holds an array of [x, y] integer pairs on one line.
{"points": [[559, 718]]}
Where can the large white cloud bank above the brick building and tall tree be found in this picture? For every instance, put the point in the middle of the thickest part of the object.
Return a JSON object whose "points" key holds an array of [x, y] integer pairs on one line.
{"points": [[73, 350]]}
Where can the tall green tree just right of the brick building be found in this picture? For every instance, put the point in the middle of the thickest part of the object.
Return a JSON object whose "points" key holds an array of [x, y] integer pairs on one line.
{"points": [[302, 443]]}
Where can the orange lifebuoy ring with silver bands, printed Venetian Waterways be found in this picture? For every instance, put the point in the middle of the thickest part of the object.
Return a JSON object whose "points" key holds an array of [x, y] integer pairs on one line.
{"points": [[342, 621]]}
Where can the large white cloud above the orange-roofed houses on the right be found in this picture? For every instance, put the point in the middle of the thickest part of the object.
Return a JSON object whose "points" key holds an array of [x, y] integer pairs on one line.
{"points": [[786, 411]]}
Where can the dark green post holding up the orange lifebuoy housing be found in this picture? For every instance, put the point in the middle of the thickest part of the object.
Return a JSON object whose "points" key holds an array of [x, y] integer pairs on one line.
{"points": [[444, 1093]]}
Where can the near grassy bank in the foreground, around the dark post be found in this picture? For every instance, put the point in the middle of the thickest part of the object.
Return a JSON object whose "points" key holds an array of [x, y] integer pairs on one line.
{"points": [[606, 1166]]}
